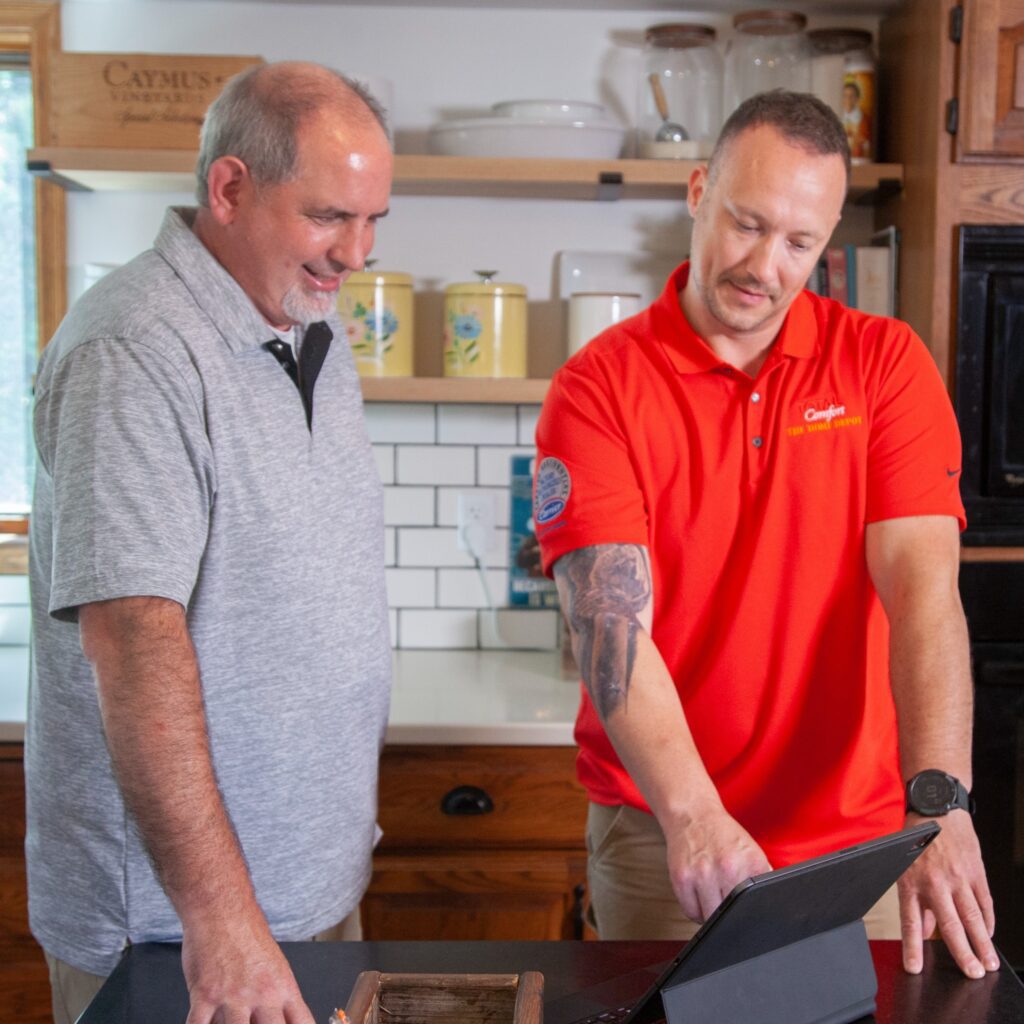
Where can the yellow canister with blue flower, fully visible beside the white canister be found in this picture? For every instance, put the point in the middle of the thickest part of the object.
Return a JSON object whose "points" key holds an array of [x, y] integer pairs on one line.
{"points": [[486, 329]]}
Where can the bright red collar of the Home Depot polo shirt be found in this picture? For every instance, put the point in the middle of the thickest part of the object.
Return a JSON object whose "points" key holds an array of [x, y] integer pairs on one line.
{"points": [[690, 354]]}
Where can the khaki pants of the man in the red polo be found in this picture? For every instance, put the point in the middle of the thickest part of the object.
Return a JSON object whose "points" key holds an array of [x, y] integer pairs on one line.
{"points": [[631, 897]]}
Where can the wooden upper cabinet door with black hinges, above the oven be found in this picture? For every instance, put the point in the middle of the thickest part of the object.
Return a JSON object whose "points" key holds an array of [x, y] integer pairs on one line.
{"points": [[992, 80]]}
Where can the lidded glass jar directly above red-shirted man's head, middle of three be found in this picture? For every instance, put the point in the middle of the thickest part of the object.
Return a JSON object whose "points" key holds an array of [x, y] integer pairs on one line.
{"points": [[769, 51]]}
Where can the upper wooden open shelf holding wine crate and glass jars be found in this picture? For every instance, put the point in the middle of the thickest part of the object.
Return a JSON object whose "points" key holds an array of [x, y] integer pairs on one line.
{"points": [[173, 170]]}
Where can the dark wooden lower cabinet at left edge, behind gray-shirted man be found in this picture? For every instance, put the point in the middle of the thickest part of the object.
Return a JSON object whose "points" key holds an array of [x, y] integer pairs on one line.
{"points": [[25, 990]]}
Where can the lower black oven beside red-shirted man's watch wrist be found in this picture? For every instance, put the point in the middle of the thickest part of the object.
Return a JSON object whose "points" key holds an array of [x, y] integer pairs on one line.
{"points": [[994, 601]]}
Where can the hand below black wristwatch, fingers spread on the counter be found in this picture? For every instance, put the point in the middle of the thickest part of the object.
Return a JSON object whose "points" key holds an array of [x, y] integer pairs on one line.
{"points": [[947, 888]]}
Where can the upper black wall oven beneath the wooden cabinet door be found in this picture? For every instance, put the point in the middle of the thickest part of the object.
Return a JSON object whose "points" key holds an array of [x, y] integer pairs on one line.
{"points": [[990, 381]]}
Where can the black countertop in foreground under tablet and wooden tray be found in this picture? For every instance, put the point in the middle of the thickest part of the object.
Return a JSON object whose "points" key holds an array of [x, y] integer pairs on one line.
{"points": [[148, 988]]}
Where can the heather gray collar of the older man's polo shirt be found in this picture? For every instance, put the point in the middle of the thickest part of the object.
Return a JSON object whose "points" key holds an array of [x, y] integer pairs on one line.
{"points": [[215, 290]]}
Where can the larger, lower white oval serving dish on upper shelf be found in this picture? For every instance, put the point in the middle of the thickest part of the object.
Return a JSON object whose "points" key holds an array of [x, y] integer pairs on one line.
{"points": [[527, 138]]}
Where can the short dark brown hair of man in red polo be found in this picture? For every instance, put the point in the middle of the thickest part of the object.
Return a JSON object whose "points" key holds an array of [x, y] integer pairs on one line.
{"points": [[799, 117]]}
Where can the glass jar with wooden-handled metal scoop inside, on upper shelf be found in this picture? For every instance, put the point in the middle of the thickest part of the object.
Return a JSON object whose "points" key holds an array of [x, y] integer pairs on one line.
{"points": [[679, 99]]}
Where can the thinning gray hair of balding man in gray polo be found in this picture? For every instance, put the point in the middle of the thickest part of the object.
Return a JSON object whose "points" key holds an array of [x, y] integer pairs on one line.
{"points": [[260, 112]]}
